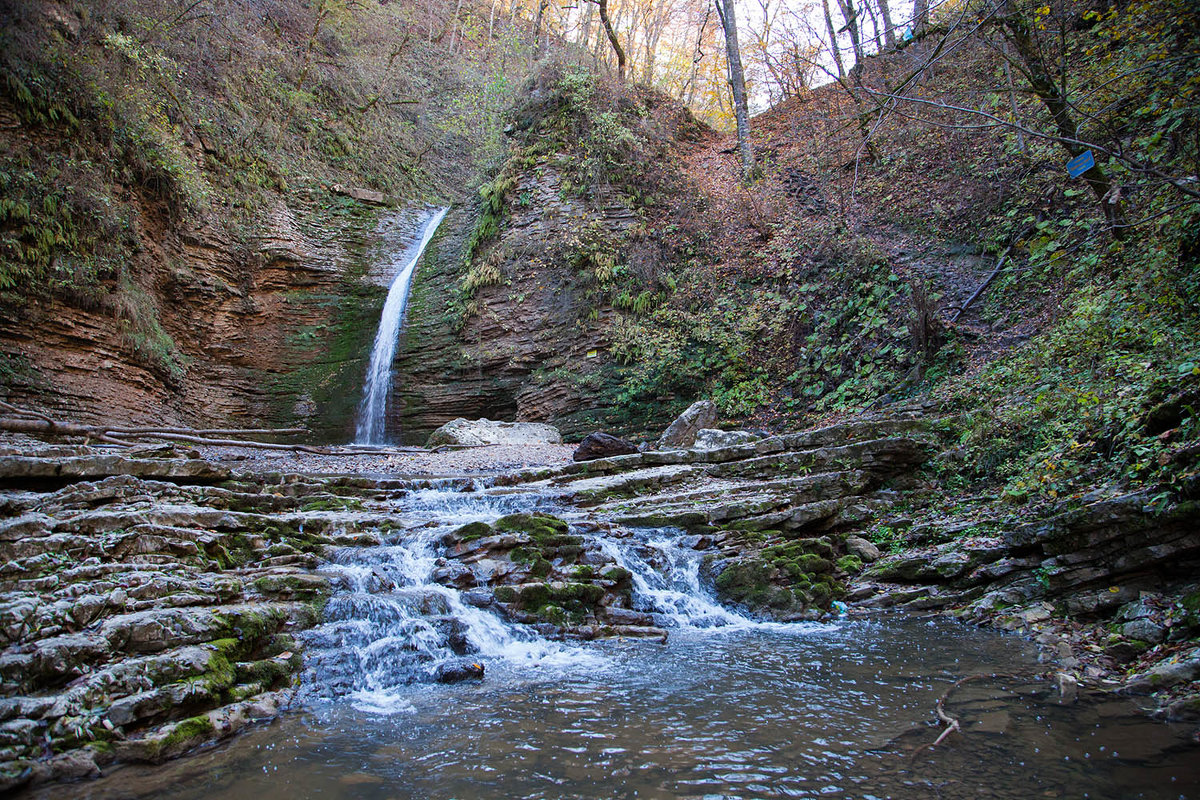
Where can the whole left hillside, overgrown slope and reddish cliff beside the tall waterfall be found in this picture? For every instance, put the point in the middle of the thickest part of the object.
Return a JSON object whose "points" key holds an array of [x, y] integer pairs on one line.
{"points": [[191, 197]]}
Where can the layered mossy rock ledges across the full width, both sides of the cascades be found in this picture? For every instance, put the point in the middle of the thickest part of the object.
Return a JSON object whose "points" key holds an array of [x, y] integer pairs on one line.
{"points": [[155, 600]]}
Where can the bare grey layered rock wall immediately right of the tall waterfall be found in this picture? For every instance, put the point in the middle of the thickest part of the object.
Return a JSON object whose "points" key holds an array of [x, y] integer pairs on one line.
{"points": [[530, 350]]}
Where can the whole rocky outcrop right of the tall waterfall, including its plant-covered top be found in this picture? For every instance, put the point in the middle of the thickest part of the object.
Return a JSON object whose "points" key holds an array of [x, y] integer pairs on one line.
{"points": [[519, 324]]}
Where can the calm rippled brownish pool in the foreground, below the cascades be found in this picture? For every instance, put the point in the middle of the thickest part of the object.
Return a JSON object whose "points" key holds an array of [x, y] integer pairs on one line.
{"points": [[813, 712]]}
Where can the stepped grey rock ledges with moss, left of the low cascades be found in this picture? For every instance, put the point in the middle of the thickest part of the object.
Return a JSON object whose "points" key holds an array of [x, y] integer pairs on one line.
{"points": [[151, 603]]}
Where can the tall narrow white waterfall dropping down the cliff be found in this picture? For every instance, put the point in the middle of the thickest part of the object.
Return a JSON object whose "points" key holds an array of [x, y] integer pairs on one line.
{"points": [[371, 426]]}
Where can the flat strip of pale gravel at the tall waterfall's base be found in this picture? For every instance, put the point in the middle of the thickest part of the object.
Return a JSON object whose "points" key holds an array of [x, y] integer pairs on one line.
{"points": [[473, 461]]}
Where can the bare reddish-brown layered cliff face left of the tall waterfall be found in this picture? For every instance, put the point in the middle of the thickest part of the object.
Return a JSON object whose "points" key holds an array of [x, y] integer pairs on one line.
{"points": [[273, 334]]}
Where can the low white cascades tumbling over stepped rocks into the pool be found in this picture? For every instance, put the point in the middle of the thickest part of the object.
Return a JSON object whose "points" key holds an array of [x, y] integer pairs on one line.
{"points": [[392, 624]]}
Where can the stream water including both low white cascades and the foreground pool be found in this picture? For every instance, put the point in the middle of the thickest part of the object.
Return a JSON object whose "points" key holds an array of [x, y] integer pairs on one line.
{"points": [[728, 708]]}
